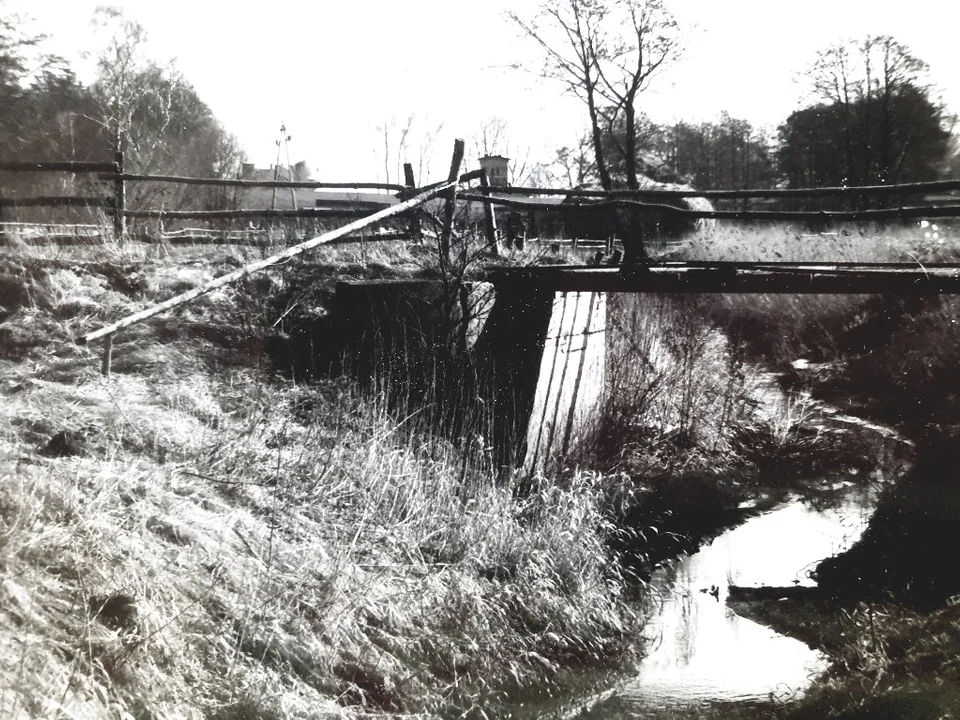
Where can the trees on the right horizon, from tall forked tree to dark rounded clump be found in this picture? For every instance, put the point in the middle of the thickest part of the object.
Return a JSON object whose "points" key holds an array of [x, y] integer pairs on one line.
{"points": [[873, 117]]}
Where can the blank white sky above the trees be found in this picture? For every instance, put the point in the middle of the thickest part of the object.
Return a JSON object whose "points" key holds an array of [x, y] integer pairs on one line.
{"points": [[335, 70]]}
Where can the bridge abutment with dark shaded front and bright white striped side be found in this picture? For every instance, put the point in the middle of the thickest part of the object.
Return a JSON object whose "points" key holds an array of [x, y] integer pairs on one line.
{"points": [[524, 374]]}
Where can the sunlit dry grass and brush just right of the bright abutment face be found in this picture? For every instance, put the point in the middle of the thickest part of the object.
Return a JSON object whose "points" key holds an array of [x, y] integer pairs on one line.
{"points": [[682, 396]]}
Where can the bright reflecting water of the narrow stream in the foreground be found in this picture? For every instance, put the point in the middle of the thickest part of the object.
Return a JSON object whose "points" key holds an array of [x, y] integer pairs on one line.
{"points": [[704, 660]]}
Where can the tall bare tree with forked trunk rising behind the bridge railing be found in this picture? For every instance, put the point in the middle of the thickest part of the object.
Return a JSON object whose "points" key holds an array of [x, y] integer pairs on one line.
{"points": [[605, 52]]}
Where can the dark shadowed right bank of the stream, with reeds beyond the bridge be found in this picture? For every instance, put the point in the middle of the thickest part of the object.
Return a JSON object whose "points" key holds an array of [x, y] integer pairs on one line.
{"points": [[894, 640]]}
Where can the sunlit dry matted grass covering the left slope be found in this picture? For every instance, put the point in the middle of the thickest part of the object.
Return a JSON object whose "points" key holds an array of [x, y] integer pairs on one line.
{"points": [[194, 538]]}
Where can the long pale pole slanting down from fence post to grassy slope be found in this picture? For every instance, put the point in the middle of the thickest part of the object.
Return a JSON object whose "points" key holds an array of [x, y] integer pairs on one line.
{"points": [[266, 262]]}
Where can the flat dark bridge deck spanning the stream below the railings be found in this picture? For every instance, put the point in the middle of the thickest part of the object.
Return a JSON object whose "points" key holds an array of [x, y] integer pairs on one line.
{"points": [[740, 277]]}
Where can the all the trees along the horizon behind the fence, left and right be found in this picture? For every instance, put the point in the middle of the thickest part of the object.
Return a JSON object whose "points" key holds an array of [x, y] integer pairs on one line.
{"points": [[872, 116]]}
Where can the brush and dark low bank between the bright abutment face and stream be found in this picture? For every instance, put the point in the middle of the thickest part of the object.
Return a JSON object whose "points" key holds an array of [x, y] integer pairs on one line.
{"points": [[694, 434]]}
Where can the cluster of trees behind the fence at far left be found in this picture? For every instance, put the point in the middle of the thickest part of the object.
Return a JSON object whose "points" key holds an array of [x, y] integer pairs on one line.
{"points": [[135, 105]]}
